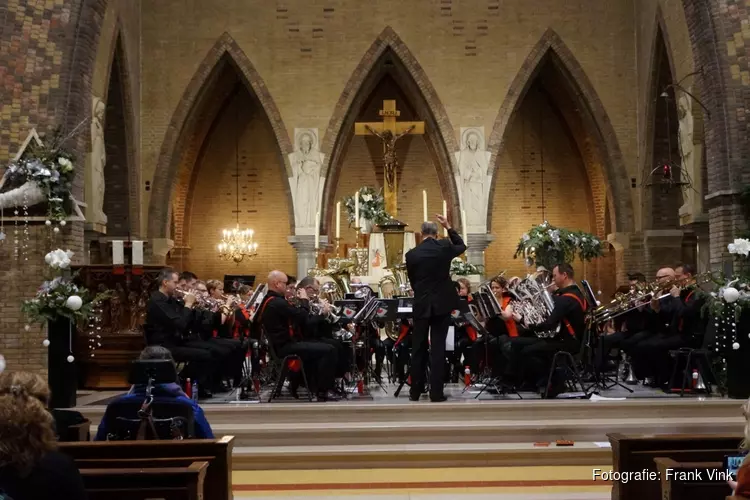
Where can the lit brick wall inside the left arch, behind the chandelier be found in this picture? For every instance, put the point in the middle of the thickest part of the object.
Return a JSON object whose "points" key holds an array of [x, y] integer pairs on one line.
{"points": [[262, 194]]}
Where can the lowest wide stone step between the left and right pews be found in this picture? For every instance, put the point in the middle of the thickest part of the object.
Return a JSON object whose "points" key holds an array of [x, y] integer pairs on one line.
{"points": [[397, 455]]}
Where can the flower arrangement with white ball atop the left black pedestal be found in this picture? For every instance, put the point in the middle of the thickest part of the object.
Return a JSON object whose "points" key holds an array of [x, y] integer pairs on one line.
{"points": [[60, 296]]}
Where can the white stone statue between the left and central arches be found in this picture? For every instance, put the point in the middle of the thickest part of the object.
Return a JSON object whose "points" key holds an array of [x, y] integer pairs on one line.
{"points": [[306, 182]]}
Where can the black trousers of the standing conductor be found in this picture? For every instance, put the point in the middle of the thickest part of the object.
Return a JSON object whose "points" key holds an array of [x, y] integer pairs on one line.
{"points": [[437, 327]]}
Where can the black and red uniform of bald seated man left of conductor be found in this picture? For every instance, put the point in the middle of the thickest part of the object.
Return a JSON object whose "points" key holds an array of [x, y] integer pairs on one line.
{"points": [[282, 323]]}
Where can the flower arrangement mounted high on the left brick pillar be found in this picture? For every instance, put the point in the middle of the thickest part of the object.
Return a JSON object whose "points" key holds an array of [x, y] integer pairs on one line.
{"points": [[44, 173]]}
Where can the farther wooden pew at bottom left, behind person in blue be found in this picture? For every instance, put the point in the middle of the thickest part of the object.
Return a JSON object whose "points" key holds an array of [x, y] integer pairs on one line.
{"points": [[149, 454]]}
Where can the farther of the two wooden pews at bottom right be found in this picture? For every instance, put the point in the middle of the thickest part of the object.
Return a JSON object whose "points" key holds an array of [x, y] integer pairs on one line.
{"points": [[631, 453]]}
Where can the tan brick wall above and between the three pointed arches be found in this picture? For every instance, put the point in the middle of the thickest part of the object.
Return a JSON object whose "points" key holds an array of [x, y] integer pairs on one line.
{"points": [[302, 43]]}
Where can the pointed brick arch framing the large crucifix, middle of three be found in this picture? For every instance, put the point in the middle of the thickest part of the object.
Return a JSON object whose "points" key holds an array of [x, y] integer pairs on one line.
{"points": [[417, 86]]}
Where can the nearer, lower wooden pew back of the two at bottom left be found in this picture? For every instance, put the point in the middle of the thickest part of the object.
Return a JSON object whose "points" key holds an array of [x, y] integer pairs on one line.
{"points": [[168, 483]]}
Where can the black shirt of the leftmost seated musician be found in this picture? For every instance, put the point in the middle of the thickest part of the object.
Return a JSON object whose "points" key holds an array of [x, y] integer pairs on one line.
{"points": [[167, 320]]}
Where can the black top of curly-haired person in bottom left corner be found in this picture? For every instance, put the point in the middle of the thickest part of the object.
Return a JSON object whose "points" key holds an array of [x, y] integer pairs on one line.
{"points": [[55, 477]]}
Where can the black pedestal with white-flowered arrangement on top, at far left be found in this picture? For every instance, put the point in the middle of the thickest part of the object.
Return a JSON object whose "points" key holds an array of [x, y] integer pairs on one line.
{"points": [[60, 304]]}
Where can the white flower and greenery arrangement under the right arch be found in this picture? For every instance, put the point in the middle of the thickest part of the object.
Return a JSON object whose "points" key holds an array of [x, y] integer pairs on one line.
{"points": [[545, 245]]}
